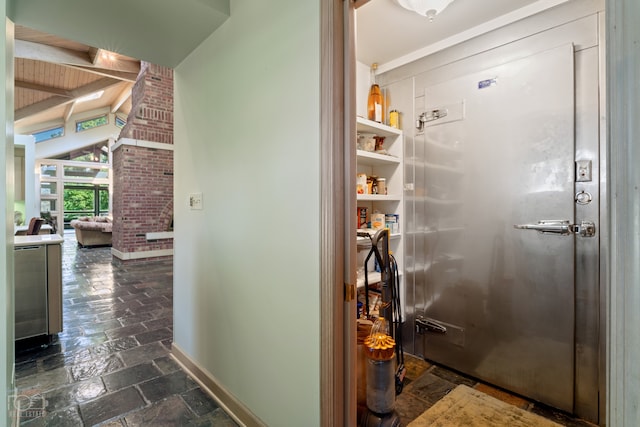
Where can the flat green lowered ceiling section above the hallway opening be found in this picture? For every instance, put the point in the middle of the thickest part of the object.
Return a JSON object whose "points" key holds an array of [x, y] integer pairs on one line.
{"points": [[158, 31]]}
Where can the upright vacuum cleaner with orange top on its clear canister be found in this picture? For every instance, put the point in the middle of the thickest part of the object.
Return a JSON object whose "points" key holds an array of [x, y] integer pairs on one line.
{"points": [[384, 354]]}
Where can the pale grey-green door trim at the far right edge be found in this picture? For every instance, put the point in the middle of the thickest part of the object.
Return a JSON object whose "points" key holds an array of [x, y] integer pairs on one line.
{"points": [[623, 243]]}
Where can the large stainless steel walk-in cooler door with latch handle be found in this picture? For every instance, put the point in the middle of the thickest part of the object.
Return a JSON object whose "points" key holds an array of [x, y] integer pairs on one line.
{"points": [[499, 151]]}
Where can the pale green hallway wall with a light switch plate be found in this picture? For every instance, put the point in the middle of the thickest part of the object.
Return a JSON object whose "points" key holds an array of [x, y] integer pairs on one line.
{"points": [[246, 300]]}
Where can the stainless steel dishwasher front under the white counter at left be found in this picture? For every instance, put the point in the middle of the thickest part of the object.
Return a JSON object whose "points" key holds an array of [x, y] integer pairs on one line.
{"points": [[30, 291]]}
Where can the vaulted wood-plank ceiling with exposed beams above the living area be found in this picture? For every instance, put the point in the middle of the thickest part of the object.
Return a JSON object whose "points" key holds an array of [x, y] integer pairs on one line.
{"points": [[53, 74]]}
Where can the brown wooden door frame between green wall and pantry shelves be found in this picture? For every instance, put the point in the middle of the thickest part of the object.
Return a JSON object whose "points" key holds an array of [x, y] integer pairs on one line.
{"points": [[338, 251]]}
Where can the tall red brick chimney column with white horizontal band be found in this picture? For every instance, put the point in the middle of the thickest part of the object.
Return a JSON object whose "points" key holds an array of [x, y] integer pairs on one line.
{"points": [[143, 176]]}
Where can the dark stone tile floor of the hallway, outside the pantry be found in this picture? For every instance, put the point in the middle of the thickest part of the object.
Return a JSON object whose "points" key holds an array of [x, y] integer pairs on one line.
{"points": [[111, 365]]}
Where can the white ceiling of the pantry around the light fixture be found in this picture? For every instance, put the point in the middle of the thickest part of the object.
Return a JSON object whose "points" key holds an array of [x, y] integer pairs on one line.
{"points": [[385, 31]]}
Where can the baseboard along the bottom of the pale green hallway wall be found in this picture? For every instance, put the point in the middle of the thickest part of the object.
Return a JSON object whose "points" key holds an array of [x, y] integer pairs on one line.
{"points": [[229, 403]]}
